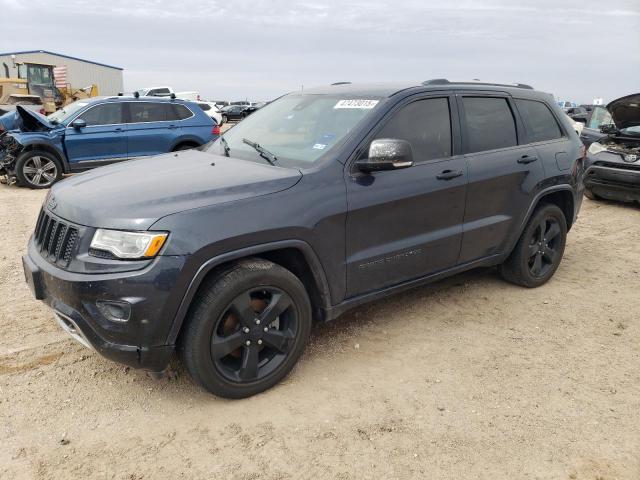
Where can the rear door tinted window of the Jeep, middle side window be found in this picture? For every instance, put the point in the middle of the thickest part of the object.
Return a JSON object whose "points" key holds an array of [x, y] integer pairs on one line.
{"points": [[490, 124]]}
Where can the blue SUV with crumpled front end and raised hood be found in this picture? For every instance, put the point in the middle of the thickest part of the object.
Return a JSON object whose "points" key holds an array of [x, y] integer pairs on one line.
{"points": [[90, 133]]}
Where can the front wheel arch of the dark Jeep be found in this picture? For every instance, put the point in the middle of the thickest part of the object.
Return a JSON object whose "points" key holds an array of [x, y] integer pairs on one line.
{"points": [[296, 256]]}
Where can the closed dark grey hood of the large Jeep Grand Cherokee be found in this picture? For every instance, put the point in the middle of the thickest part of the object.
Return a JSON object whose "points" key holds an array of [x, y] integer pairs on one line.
{"points": [[135, 194]]}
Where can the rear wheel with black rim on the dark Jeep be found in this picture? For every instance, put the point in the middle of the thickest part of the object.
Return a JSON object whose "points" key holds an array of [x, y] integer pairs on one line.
{"points": [[538, 253]]}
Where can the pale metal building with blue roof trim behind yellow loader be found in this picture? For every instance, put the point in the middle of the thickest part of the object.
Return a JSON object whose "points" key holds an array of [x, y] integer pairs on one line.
{"points": [[79, 73]]}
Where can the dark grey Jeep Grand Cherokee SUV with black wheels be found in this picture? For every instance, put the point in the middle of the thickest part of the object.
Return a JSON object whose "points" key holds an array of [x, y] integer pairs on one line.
{"points": [[317, 203]]}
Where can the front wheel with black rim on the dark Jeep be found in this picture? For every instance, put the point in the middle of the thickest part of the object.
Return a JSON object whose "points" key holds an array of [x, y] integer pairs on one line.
{"points": [[246, 329]]}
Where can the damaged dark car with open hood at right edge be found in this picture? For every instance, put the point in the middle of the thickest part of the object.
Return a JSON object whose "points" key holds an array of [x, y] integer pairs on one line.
{"points": [[612, 166]]}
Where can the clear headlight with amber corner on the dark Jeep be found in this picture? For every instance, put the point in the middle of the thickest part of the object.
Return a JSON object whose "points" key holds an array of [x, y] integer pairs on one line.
{"points": [[128, 244]]}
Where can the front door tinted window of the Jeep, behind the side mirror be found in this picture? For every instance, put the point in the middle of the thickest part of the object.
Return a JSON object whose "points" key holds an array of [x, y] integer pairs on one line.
{"points": [[426, 125]]}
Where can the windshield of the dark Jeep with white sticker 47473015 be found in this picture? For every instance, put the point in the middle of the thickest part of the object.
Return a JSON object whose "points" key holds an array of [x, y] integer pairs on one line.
{"points": [[296, 129]]}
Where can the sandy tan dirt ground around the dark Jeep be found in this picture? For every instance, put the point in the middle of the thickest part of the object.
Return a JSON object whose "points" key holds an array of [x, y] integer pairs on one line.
{"points": [[468, 378]]}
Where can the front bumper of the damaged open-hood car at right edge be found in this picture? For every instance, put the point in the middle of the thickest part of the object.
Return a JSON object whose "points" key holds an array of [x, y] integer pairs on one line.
{"points": [[614, 182]]}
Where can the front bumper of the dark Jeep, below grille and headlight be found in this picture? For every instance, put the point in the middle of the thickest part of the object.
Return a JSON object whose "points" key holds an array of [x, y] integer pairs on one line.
{"points": [[139, 342]]}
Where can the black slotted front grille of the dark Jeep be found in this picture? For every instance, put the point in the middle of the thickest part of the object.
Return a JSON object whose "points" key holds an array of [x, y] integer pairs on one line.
{"points": [[55, 239]]}
